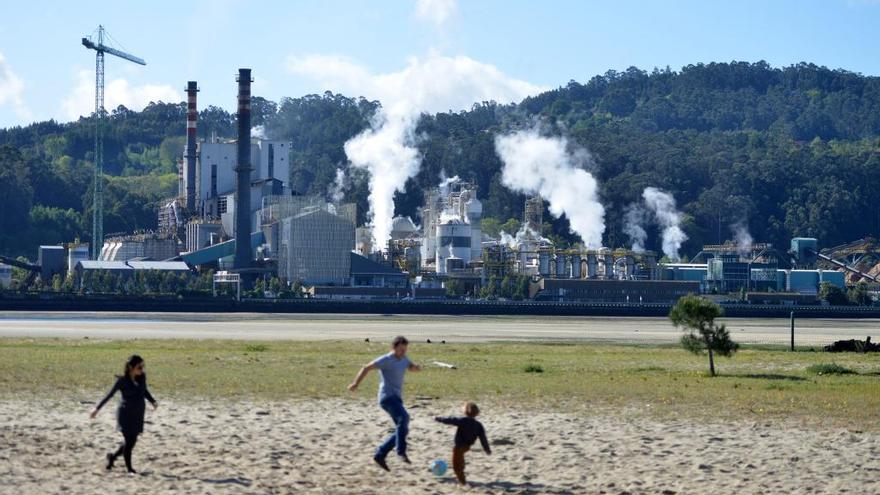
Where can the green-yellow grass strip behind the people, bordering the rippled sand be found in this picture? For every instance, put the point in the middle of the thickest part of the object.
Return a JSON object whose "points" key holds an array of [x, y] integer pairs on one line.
{"points": [[755, 384]]}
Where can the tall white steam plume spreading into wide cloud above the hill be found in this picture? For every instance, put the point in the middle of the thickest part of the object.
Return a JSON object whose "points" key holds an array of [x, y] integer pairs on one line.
{"points": [[388, 149]]}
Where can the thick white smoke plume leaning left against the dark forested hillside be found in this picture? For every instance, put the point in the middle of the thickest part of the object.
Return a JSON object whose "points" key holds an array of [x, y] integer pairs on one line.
{"points": [[535, 164]]}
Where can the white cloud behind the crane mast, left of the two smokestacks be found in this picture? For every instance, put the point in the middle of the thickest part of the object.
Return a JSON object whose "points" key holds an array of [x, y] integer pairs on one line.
{"points": [[81, 100]]}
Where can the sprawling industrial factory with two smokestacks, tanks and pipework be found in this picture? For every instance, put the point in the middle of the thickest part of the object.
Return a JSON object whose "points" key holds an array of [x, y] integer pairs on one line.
{"points": [[235, 213]]}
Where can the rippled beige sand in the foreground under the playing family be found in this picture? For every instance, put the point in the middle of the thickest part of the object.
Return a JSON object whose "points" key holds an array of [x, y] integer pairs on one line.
{"points": [[48, 445]]}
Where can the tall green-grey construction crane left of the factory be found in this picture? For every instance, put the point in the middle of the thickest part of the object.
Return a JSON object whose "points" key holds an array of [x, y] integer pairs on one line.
{"points": [[100, 115]]}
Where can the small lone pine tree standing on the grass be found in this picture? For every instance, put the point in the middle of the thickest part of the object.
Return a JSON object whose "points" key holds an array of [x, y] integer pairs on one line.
{"points": [[696, 316]]}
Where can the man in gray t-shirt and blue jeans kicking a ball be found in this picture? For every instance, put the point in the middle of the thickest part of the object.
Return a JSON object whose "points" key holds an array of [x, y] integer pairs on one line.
{"points": [[392, 367]]}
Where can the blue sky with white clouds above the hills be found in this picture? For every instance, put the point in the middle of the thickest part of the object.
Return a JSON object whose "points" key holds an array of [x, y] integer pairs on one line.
{"points": [[488, 49]]}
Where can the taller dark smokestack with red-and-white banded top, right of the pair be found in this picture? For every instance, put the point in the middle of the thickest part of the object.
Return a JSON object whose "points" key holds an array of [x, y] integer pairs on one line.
{"points": [[243, 255]]}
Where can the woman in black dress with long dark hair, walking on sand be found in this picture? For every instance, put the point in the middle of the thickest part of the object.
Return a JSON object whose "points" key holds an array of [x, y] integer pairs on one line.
{"points": [[132, 385]]}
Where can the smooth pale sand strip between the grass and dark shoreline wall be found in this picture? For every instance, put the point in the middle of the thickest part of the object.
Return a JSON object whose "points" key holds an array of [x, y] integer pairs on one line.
{"points": [[384, 327]]}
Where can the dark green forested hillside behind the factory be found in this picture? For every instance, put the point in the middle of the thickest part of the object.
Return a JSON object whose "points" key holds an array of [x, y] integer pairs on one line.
{"points": [[792, 151]]}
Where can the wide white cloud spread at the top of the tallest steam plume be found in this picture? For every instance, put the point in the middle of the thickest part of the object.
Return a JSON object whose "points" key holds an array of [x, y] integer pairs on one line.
{"points": [[435, 83]]}
